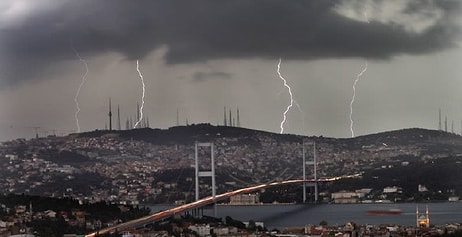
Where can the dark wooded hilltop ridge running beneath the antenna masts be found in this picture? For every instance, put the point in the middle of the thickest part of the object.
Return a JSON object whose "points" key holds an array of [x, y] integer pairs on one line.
{"points": [[206, 132]]}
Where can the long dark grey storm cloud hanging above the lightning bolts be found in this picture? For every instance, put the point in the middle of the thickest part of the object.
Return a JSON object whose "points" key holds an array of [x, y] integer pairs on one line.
{"points": [[210, 29]]}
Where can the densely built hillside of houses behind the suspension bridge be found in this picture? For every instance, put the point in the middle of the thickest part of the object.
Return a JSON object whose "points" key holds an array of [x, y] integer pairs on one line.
{"points": [[134, 171]]}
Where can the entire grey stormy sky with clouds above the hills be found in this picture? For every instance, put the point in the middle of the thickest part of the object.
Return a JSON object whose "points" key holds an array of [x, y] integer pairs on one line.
{"points": [[197, 57]]}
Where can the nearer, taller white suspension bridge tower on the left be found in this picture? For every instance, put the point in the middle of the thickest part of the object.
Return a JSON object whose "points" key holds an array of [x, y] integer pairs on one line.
{"points": [[205, 173]]}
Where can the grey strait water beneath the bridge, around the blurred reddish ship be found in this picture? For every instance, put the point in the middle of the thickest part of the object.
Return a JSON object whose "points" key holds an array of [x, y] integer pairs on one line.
{"points": [[281, 216]]}
